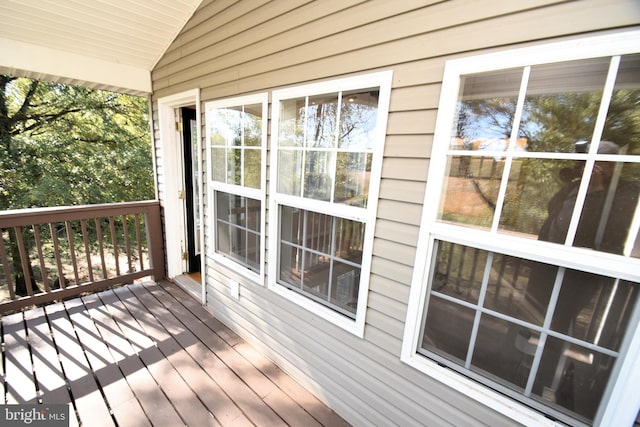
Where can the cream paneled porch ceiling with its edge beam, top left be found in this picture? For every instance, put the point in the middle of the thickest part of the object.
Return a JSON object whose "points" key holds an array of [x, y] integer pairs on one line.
{"points": [[110, 44]]}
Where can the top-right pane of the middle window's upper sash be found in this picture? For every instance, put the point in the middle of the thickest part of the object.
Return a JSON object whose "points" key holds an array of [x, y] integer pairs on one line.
{"points": [[358, 117]]}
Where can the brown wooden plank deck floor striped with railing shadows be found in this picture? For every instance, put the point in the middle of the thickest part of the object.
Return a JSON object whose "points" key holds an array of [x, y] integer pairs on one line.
{"points": [[147, 354]]}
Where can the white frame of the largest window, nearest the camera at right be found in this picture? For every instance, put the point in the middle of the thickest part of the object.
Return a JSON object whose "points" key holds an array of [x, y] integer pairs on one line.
{"points": [[623, 400]]}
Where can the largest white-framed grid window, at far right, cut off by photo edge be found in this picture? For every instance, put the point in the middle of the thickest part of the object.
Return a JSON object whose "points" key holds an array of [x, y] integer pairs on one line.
{"points": [[527, 274]]}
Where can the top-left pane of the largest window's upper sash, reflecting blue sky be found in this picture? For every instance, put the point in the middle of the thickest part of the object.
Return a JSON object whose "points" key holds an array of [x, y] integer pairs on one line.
{"points": [[485, 110]]}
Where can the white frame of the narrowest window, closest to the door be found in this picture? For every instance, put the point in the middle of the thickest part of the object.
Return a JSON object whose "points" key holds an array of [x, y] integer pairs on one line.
{"points": [[239, 190]]}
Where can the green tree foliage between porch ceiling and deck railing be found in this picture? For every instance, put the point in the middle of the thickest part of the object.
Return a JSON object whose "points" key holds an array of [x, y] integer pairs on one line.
{"points": [[66, 145]]}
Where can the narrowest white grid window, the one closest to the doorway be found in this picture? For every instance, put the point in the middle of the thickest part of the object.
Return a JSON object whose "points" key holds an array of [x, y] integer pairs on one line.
{"points": [[236, 146]]}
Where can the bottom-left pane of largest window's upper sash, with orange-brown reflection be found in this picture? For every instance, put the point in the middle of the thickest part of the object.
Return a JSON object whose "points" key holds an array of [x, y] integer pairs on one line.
{"points": [[472, 187]]}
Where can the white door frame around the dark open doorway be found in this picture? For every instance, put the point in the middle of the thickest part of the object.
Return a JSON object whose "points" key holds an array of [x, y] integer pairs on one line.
{"points": [[171, 182]]}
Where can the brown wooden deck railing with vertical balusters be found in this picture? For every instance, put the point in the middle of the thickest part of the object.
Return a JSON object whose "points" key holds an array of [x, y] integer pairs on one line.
{"points": [[49, 254]]}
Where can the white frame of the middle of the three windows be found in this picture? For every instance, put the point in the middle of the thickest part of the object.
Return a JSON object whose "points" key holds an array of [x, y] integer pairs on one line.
{"points": [[366, 215]]}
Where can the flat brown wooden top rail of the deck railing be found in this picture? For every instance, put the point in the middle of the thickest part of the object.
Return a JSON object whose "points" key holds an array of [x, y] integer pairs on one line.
{"points": [[22, 217]]}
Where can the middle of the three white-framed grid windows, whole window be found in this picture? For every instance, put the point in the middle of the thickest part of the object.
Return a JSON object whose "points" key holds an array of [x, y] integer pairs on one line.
{"points": [[326, 158]]}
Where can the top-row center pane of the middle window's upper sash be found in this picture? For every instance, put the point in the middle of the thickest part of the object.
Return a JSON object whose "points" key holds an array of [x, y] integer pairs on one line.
{"points": [[321, 117]]}
